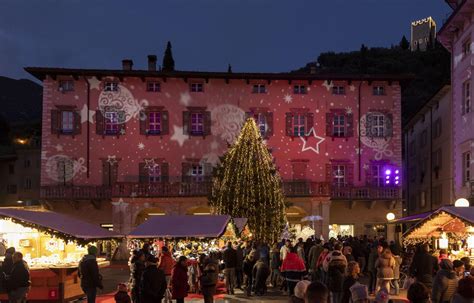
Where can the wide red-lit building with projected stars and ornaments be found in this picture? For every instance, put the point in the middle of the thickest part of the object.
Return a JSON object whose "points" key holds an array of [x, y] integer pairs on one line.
{"points": [[120, 145]]}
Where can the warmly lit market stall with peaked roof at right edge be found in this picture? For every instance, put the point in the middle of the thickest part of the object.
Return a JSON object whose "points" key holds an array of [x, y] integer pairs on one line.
{"points": [[449, 227]]}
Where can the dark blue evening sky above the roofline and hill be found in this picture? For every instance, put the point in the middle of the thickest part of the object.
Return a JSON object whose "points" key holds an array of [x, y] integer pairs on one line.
{"points": [[252, 35]]}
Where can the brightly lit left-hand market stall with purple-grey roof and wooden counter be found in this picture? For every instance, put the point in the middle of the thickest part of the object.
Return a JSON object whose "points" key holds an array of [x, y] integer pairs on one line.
{"points": [[52, 244]]}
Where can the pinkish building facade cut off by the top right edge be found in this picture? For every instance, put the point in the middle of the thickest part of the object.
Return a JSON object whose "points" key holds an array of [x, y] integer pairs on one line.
{"points": [[457, 35]]}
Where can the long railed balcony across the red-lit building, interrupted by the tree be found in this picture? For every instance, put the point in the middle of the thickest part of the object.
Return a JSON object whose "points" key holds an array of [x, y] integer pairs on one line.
{"points": [[291, 188]]}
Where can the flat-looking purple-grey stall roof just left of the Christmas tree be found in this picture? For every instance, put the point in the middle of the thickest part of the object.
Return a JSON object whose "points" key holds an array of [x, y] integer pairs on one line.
{"points": [[208, 226]]}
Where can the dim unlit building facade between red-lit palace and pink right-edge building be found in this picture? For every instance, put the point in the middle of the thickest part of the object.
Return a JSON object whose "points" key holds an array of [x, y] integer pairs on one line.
{"points": [[428, 156]]}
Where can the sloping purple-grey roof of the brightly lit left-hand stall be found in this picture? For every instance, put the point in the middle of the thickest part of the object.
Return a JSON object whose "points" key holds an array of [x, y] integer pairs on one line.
{"points": [[57, 222]]}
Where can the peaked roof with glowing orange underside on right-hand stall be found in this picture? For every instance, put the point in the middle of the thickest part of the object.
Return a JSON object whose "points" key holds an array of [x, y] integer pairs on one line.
{"points": [[444, 218]]}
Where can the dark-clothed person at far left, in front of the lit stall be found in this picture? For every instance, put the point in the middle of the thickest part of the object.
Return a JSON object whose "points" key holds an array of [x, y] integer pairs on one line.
{"points": [[18, 281]]}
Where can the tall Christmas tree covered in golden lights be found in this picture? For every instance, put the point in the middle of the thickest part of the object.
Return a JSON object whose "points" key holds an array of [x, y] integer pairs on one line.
{"points": [[247, 184]]}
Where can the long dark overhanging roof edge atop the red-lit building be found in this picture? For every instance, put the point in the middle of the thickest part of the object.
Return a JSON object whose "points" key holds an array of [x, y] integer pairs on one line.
{"points": [[41, 73]]}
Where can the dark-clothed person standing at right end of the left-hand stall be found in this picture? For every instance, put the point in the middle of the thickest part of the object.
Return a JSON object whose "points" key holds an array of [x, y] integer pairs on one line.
{"points": [[89, 274]]}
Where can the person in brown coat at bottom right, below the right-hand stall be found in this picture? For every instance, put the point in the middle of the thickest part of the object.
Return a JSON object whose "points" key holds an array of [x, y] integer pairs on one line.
{"points": [[445, 283]]}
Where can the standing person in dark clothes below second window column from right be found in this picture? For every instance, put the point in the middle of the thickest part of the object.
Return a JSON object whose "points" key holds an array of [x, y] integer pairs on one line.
{"points": [[335, 264]]}
